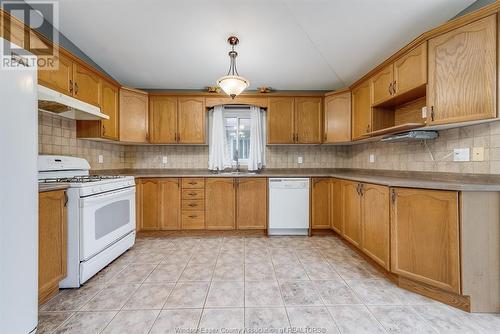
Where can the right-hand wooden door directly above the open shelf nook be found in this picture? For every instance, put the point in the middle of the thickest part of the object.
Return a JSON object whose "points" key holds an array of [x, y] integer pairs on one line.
{"points": [[410, 71]]}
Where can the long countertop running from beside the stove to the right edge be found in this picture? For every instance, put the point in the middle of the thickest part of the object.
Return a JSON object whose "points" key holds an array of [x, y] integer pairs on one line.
{"points": [[427, 180]]}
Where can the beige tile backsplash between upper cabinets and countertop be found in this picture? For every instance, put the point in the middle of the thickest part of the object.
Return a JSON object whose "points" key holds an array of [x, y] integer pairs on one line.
{"points": [[57, 135]]}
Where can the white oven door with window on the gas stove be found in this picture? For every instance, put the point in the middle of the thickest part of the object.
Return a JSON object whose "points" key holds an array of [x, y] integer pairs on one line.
{"points": [[105, 219]]}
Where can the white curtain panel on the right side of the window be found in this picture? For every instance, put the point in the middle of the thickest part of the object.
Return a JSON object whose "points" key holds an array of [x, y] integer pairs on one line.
{"points": [[256, 158]]}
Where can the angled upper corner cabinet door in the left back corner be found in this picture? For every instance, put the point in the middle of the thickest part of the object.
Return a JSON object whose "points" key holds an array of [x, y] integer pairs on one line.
{"points": [[134, 111]]}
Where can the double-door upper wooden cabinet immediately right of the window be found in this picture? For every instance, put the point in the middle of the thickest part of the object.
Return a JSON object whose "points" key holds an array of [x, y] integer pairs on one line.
{"points": [[295, 120]]}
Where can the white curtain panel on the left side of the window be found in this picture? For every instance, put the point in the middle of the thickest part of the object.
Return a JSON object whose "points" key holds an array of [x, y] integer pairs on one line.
{"points": [[216, 156]]}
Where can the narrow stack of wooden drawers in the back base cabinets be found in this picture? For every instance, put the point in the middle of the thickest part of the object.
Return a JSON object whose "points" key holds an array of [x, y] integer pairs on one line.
{"points": [[193, 203]]}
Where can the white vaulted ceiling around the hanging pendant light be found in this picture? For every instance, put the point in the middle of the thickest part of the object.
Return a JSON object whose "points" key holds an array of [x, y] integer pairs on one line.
{"points": [[287, 44]]}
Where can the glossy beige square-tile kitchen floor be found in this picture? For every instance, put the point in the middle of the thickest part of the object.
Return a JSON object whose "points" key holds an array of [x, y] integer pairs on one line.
{"points": [[223, 284]]}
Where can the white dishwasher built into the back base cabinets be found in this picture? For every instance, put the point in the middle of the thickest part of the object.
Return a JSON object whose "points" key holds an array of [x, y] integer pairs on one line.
{"points": [[288, 206]]}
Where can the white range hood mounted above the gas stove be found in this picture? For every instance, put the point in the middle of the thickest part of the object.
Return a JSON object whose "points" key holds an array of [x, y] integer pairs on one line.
{"points": [[67, 106]]}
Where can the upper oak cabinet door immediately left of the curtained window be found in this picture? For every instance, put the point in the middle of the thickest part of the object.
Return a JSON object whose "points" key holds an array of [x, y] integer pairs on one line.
{"points": [[192, 121]]}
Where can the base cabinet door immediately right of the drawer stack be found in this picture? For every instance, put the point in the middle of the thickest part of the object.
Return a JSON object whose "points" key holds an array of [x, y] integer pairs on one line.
{"points": [[220, 203]]}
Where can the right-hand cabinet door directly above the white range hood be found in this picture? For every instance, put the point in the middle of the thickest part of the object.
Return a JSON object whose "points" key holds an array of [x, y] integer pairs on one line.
{"points": [[86, 85]]}
